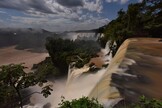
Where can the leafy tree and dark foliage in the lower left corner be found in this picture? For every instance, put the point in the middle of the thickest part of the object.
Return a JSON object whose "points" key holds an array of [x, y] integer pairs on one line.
{"points": [[13, 79]]}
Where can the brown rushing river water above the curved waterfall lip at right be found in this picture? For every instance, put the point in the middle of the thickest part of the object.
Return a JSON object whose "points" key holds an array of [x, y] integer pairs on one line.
{"points": [[144, 75]]}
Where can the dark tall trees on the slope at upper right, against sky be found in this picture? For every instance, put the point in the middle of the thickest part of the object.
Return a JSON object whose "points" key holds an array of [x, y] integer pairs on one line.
{"points": [[140, 20]]}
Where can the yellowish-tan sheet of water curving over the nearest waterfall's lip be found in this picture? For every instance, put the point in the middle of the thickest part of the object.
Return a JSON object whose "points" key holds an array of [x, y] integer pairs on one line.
{"points": [[103, 90]]}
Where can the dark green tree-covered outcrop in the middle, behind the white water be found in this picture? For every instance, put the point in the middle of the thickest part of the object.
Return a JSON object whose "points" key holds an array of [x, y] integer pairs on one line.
{"points": [[62, 53]]}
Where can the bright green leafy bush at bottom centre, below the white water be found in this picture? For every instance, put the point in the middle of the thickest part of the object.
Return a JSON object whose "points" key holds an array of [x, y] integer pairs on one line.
{"points": [[83, 102]]}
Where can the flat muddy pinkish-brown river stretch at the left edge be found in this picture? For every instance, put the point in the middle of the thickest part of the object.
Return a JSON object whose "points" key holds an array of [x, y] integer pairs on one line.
{"points": [[10, 55]]}
